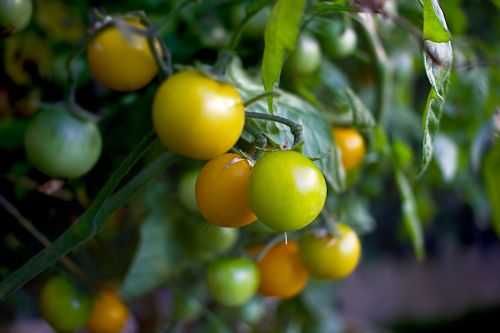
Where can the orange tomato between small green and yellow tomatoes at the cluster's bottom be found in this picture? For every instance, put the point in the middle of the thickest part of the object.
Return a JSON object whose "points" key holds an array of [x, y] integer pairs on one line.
{"points": [[282, 274]]}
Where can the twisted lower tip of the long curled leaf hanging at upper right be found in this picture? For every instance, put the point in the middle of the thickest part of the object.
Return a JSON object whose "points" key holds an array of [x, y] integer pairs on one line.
{"points": [[431, 118]]}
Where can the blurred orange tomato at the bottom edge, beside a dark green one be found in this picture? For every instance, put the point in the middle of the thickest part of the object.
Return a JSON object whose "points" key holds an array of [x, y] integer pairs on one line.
{"points": [[110, 314]]}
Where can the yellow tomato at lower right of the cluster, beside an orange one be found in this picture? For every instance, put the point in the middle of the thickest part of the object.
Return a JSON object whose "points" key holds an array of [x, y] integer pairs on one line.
{"points": [[330, 257]]}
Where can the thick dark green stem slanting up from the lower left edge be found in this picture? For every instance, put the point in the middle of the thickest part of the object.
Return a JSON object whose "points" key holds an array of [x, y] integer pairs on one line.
{"points": [[83, 228]]}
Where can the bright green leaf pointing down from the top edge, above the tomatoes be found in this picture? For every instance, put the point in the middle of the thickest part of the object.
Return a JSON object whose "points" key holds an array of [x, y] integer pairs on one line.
{"points": [[280, 37]]}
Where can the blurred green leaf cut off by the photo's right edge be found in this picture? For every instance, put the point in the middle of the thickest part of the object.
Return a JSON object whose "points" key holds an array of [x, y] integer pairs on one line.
{"points": [[490, 171]]}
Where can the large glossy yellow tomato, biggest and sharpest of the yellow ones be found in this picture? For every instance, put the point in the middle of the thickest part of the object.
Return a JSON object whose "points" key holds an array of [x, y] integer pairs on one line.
{"points": [[196, 116]]}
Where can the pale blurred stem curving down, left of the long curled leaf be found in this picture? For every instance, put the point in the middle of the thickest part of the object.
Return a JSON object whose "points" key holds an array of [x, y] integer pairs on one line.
{"points": [[383, 71]]}
